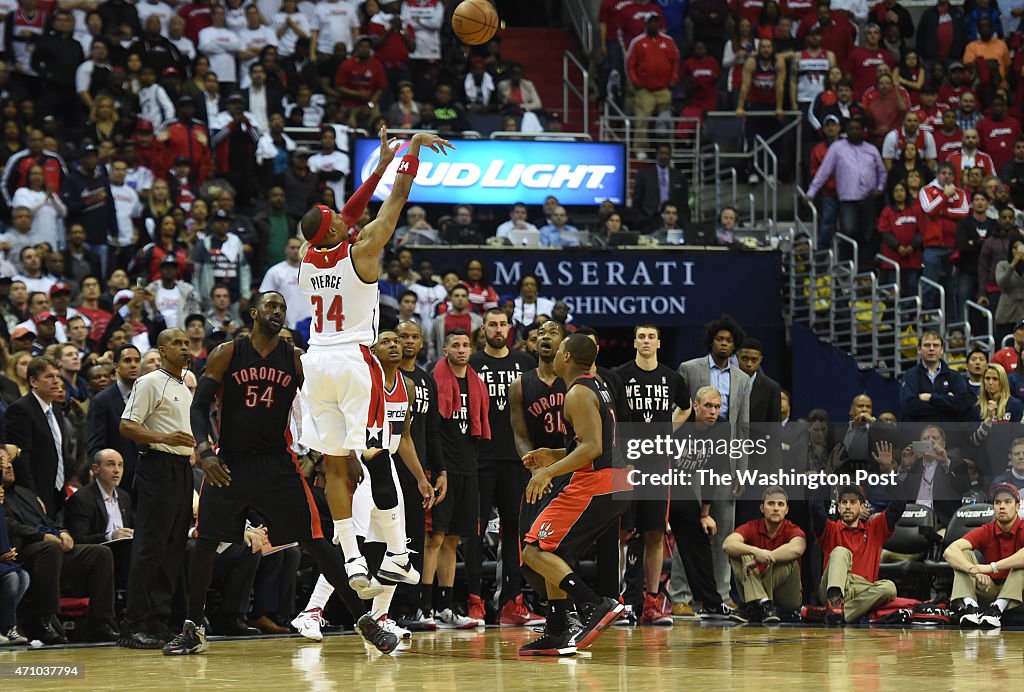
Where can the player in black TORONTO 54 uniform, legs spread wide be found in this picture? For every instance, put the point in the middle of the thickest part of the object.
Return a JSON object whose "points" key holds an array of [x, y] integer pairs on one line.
{"points": [[254, 381]]}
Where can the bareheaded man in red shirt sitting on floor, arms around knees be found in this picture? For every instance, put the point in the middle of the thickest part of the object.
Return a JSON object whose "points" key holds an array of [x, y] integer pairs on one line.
{"points": [[765, 556]]}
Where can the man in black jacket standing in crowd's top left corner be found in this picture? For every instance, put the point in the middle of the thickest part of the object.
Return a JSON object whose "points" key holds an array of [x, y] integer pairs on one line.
{"points": [[57, 59]]}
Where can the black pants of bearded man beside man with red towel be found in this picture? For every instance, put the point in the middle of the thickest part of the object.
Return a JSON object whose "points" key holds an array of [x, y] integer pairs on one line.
{"points": [[502, 484]]}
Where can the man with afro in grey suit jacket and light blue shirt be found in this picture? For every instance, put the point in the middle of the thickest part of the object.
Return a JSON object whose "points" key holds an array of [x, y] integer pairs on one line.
{"points": [[722, 338]]}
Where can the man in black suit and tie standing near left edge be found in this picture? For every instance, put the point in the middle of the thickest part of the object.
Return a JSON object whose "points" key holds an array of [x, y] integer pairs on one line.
{"points": [[35, 425]]}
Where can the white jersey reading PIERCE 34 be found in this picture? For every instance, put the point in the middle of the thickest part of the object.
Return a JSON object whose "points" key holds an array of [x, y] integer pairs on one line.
{"points": [[345, 309]]}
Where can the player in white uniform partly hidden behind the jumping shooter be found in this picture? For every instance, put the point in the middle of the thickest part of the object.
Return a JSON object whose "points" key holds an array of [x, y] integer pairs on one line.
{"points": [[378, 507]]}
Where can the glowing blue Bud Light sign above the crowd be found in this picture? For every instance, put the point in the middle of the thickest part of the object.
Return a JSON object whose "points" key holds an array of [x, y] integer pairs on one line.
{"points": [[501, 172]]}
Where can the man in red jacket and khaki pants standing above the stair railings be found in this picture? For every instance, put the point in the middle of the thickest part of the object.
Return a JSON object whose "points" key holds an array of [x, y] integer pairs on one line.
{"points": [[653, 65]]}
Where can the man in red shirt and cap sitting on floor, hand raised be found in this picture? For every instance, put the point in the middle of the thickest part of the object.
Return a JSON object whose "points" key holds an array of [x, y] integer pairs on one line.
{"points": [[852, 549]]}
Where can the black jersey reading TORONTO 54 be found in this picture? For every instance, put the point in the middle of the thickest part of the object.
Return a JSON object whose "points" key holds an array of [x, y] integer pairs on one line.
{"points": [[257, 398]]}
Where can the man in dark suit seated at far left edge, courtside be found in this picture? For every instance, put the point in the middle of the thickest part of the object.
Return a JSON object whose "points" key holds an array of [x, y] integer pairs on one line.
{"points": [[56, 564]]}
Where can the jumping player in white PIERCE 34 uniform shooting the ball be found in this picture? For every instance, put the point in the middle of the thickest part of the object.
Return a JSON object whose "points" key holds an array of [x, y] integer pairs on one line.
{"points": [[343, 395]]}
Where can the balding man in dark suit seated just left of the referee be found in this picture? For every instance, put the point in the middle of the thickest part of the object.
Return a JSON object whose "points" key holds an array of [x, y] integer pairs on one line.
{"points": [[102, 512]]}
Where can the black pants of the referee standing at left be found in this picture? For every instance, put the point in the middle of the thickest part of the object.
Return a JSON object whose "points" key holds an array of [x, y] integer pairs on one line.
{"points": [[164, 485]]}
